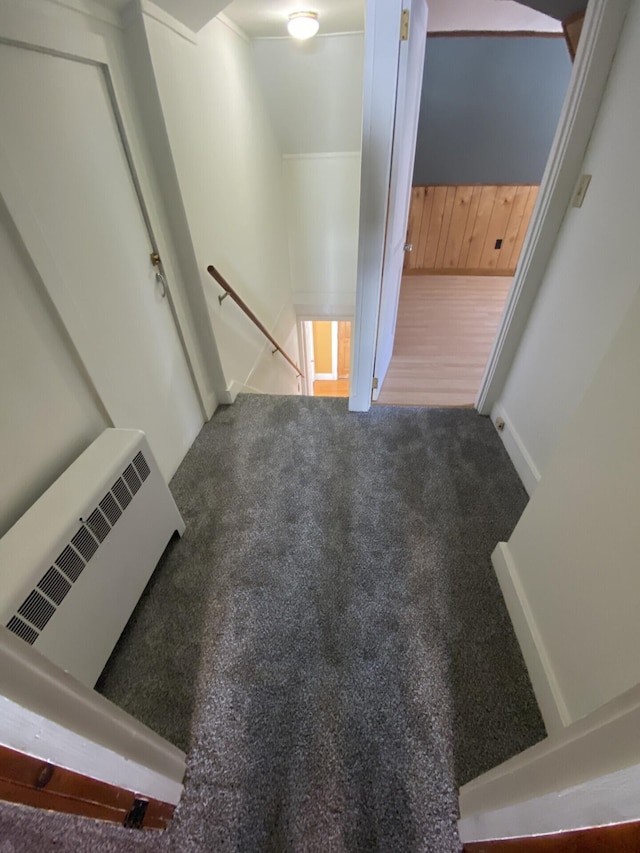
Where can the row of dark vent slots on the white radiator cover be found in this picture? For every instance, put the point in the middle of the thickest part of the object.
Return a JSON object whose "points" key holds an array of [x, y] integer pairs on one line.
{"points": [[39, 606]]}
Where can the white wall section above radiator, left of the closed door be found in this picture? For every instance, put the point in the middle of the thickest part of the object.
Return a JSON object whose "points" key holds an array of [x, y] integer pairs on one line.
{"points": [[49, 412]]}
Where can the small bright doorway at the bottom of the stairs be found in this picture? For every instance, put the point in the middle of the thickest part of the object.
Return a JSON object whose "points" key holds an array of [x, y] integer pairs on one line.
{"points": [[326, 345]]}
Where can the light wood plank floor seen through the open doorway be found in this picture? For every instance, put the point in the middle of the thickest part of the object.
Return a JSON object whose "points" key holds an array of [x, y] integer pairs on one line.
{"points": [[445, 330]]}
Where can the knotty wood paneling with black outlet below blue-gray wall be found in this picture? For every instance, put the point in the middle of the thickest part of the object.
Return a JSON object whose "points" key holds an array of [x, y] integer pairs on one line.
{"points": [[458, 229]]}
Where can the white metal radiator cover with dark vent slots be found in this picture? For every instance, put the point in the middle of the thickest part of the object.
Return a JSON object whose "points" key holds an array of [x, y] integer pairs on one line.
{"points": [[74, 566]]}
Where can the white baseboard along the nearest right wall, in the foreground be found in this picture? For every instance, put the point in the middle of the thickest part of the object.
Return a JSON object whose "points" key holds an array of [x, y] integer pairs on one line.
{"points": [[550, 700]]}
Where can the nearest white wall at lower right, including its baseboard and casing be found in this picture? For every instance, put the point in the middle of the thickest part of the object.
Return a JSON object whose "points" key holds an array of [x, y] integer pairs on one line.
{"points": [[572, 562]]}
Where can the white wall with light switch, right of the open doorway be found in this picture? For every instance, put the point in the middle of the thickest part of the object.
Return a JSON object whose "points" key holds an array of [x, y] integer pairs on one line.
{"points": [[590, 281]]}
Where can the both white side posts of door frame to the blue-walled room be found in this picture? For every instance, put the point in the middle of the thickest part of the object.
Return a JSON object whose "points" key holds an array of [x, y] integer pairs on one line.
{"points": [[603, 23]]}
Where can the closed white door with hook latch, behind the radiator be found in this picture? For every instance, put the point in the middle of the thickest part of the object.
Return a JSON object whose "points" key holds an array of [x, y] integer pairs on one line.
{"points": [[67, 183]]}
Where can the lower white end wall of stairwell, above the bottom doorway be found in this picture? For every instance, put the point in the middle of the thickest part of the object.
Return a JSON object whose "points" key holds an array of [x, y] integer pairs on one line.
{"points": [[323, 195]]}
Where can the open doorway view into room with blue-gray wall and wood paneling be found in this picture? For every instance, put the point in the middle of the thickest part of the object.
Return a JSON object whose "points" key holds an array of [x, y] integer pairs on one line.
{"points": [[471, 203]]}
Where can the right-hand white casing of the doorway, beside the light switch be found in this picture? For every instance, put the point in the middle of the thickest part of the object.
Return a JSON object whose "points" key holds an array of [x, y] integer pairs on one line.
{"points": [[602, 27]]}
